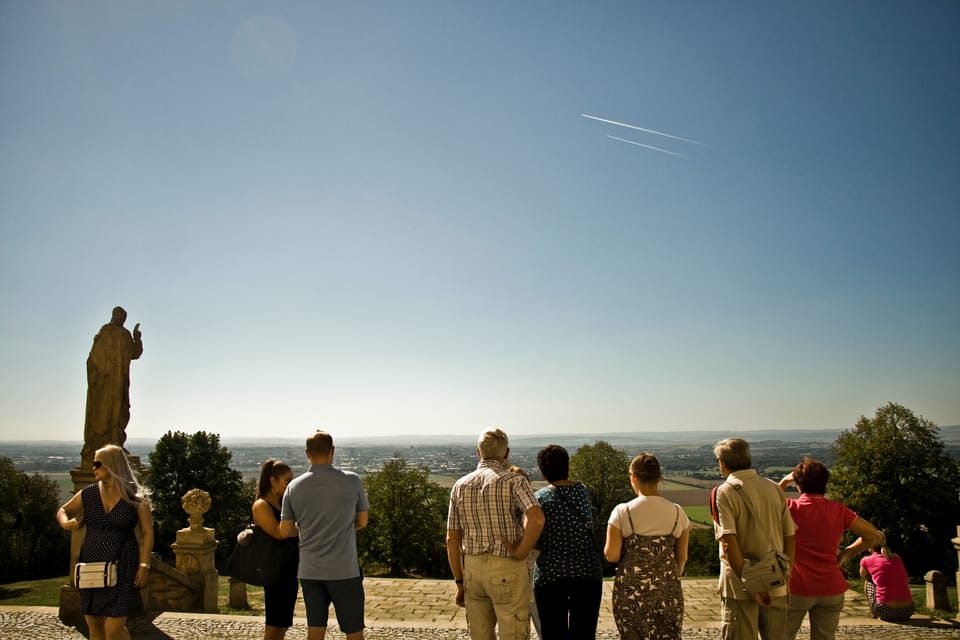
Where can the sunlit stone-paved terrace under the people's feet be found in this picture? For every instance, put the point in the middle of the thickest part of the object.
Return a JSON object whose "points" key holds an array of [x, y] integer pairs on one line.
{"points": [[415, 609]]}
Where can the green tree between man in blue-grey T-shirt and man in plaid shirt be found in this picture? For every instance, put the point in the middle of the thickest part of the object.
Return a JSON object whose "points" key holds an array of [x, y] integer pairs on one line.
{"points": [[406, 531]]}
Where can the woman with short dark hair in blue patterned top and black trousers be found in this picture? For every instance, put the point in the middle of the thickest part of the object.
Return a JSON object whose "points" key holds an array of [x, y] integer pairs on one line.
{"points": [[568, 578]]}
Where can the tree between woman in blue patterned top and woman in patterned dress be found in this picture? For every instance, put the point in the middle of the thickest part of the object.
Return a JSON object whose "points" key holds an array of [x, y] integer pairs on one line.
{"points": [[606, 473]]}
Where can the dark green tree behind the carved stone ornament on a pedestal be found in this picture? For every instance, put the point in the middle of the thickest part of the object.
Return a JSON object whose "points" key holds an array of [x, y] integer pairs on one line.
{"points": [[181, 462]]}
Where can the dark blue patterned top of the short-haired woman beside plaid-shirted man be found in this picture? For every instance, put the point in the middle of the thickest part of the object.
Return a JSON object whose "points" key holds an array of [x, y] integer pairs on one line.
{"points": [[566, 544]]}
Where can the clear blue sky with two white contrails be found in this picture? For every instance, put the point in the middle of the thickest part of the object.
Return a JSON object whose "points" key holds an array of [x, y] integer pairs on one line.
{"points": [[437, 217]]}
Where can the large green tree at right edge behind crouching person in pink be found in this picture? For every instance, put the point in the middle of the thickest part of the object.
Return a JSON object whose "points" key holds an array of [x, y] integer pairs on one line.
{"points": [[893, 470]]}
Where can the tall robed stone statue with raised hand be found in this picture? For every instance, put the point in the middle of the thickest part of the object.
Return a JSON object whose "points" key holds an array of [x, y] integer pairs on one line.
{"points": [[108, 385]]}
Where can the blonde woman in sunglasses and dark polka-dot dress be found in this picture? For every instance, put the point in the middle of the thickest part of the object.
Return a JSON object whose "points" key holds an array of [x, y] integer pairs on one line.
{"points": [[111, 508]]}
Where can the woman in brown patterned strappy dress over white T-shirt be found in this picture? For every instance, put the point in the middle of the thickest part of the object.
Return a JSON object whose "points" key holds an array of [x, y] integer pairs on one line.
{"points": [[647, 538]]}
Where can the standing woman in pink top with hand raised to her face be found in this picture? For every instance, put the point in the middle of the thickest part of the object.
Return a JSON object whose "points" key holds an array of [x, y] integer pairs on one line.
{"points": [[817, 585]]}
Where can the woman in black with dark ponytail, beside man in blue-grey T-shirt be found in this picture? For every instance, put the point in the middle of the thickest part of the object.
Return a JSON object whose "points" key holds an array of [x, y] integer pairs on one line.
{"points": [[280, 597]]}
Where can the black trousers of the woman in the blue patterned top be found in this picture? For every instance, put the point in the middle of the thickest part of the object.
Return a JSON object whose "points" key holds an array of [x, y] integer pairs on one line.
{"points": [[569, 608]]}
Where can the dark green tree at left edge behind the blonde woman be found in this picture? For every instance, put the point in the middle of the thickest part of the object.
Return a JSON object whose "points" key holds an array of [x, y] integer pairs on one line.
{"points": [[32, 544]]}
